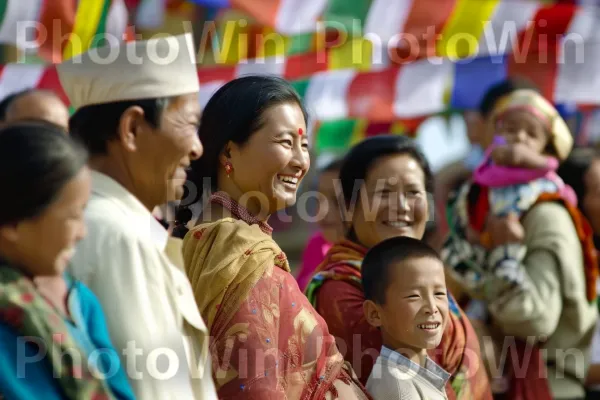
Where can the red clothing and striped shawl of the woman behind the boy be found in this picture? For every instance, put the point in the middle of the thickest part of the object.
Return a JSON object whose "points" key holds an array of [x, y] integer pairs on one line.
{"points": [[339, 277]]}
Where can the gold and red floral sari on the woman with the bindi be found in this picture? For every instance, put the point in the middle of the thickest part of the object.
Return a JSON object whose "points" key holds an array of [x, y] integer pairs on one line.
{"points": [[267, 342]]}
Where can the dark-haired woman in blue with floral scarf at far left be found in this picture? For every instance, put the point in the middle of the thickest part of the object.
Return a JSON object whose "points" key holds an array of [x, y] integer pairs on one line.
{"points": [[54, 342]]}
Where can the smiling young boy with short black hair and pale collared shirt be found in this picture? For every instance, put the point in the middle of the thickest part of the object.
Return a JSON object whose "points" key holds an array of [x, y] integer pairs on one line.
{"points": [[405, 291]]}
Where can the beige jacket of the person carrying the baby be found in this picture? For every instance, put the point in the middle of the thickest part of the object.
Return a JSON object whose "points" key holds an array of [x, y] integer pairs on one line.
{"points": [[554, 308]]}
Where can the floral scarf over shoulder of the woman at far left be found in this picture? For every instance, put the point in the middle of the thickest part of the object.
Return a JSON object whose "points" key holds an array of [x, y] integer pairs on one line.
{"points": [[29, 314]]}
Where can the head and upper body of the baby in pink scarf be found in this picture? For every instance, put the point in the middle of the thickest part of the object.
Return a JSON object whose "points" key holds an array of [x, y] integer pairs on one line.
{"points": [[531, 139]]}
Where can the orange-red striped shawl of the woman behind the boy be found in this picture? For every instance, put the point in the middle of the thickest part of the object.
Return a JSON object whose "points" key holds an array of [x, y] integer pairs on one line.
{"points": [[459, 342]]}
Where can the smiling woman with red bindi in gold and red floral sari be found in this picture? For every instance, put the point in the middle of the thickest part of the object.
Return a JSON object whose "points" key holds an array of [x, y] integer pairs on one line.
{"points": [[268, 341]]}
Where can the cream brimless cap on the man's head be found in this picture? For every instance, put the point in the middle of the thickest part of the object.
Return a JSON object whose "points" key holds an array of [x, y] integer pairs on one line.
{"points": [[160, 67]]}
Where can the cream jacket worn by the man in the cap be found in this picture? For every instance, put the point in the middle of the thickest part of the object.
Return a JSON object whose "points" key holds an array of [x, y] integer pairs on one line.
{"points": [[150, 309]]}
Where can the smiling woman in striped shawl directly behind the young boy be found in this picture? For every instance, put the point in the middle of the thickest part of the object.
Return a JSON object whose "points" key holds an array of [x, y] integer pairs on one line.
{"points": [[385, 183]]}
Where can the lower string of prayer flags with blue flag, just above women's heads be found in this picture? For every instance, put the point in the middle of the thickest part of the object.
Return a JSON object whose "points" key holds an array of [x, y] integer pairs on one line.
{"points": [[400, 92]]}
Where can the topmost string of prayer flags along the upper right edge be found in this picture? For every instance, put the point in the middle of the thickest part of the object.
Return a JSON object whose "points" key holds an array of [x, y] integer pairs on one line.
{"points": [[463, 28]]}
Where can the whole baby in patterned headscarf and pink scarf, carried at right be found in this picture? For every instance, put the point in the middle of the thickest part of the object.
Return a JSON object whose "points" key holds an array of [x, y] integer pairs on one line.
{"points": [[518, 171]]}
